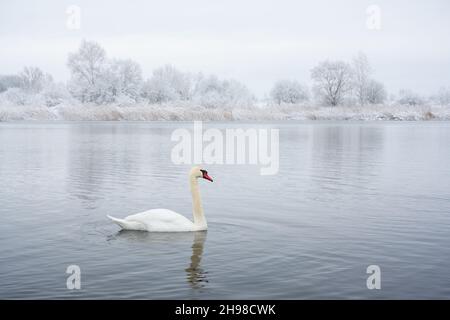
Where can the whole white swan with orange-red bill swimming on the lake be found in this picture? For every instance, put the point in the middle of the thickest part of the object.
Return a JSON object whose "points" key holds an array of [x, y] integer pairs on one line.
{"points": [[164, 220]]}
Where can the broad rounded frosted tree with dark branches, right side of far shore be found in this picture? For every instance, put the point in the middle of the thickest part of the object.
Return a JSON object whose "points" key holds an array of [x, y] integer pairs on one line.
{"points": [[332, 81]]}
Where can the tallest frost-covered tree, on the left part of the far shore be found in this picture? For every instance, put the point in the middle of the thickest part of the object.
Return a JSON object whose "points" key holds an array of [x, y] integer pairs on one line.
{"points": [[88, 67]]}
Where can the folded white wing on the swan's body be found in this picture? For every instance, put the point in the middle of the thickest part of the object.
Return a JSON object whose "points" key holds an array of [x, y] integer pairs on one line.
{"points": [[162, 220]]}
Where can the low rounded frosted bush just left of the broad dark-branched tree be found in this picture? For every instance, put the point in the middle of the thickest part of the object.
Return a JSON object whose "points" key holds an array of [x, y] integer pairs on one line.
{"points": [[286, 91]]}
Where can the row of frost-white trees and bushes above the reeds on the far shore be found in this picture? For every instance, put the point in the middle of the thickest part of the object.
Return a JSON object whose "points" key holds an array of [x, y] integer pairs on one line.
{"points": [[97, 79]]}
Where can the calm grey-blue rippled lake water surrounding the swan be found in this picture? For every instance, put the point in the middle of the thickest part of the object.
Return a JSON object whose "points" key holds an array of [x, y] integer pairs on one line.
{"points": [[348, 195]]}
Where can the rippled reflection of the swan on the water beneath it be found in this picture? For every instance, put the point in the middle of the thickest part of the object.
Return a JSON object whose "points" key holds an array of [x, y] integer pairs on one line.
{"points": [[195, 274]]}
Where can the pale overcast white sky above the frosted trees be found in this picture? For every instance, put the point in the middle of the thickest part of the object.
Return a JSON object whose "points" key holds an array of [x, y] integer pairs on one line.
{"points": [[255, 41]]}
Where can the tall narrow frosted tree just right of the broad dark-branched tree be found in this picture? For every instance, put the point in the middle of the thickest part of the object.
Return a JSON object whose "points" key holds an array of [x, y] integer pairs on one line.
{"points": [[361, 78]]}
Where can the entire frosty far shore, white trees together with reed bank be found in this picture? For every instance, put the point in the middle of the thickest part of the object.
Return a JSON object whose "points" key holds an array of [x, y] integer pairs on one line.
{"points": [[101, 88]]}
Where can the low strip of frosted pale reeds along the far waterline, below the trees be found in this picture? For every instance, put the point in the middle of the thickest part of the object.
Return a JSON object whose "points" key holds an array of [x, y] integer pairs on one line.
{"points": [[180, 112]]}
